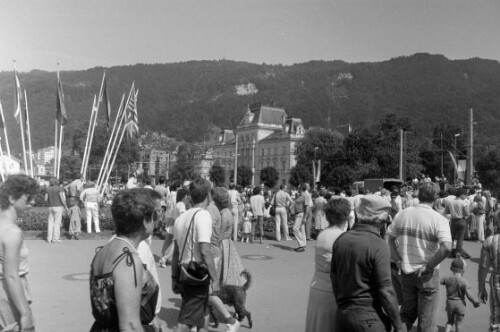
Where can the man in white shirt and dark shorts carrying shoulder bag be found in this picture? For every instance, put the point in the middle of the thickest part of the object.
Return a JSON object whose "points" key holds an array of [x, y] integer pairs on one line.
{"points": [[196, 246]]}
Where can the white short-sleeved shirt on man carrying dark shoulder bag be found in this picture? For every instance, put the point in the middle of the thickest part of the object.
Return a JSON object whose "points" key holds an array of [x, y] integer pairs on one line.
{"points": [[201, 232]]}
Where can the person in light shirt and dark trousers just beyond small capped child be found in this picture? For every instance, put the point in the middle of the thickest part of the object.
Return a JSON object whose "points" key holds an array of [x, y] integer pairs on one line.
{"points": [[458, 209]]}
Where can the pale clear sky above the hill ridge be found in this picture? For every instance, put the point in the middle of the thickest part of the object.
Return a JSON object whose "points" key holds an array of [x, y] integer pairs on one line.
{"points": [[82, 34]]}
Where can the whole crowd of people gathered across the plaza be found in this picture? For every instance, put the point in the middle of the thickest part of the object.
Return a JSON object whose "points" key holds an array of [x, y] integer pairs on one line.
{"points": [[377, 255]]}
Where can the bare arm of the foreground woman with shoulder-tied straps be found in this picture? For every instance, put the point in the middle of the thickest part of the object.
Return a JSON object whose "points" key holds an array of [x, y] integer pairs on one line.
{"points": [[128, 295]]}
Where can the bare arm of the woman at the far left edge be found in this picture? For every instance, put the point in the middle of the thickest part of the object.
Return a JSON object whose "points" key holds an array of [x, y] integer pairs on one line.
{"points": [[11, 245]]}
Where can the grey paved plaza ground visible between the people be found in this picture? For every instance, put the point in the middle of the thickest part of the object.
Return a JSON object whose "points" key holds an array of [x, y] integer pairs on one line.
{"points": [[277, 298]]}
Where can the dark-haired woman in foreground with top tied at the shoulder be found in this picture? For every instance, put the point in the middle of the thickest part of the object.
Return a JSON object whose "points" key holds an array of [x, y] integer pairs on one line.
{"points": [[123, 293]]}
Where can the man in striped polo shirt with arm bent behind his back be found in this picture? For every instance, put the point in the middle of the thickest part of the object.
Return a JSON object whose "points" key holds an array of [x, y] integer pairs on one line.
{"points": [[420, 239]]}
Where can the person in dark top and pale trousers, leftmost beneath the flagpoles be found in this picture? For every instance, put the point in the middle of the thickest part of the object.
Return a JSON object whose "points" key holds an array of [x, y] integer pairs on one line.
{"points": [[56, 200]]}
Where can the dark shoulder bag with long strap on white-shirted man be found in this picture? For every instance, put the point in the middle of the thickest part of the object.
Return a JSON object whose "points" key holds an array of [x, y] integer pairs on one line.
{"points": [[192, 273]]}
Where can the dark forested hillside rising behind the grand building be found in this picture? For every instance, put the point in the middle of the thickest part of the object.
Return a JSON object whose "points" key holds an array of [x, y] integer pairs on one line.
{"points": [[183, 99]]}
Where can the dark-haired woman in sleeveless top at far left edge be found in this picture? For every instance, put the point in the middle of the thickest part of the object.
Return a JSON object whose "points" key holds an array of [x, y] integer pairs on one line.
{"points": [[16, 195]]}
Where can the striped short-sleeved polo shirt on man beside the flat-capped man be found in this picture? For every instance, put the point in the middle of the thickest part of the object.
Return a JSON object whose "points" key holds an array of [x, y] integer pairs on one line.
{"points": [[419, 230]]}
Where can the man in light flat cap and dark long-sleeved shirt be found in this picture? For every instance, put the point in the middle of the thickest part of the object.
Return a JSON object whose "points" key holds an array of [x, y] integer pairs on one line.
{"points": [[361, 273]]}
